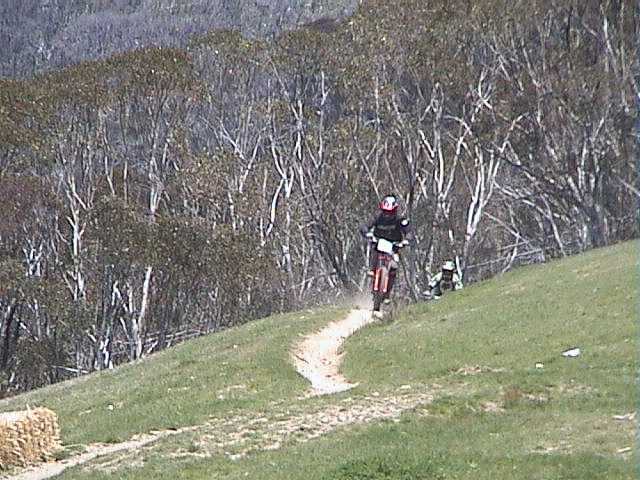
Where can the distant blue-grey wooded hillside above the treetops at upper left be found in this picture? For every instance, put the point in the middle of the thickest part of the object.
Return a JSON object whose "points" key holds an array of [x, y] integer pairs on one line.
{"points": [[41, 35]]}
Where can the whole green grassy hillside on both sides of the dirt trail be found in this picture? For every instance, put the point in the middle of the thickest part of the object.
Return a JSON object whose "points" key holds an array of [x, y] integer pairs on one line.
{"points": [[495, 413]]}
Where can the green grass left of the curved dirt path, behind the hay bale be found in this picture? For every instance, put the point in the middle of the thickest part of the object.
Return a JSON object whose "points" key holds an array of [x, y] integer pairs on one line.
{"points": [[184, 385]]}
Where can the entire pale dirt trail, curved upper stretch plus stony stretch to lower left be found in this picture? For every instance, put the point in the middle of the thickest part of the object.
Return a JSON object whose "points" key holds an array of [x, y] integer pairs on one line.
{"points": [[318, 359]]}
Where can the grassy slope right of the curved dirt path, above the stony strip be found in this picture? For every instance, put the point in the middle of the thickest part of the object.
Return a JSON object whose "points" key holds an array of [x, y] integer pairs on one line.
{"points": [[514, 321]]}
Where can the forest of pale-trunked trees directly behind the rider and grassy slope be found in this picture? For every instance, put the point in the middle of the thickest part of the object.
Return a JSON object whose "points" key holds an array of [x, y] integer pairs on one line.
{"points": [[165, 192]]}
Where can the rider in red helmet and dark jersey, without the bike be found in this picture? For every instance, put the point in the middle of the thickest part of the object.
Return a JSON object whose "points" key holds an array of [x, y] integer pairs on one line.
{"points": [[388, 225]]}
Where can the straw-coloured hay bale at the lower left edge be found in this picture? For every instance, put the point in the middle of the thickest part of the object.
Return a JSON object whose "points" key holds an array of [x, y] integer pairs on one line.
{"points": [[28, 437]]}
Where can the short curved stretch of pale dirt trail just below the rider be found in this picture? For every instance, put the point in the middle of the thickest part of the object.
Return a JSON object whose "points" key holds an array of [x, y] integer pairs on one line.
{"points": [[318, 357]]}
